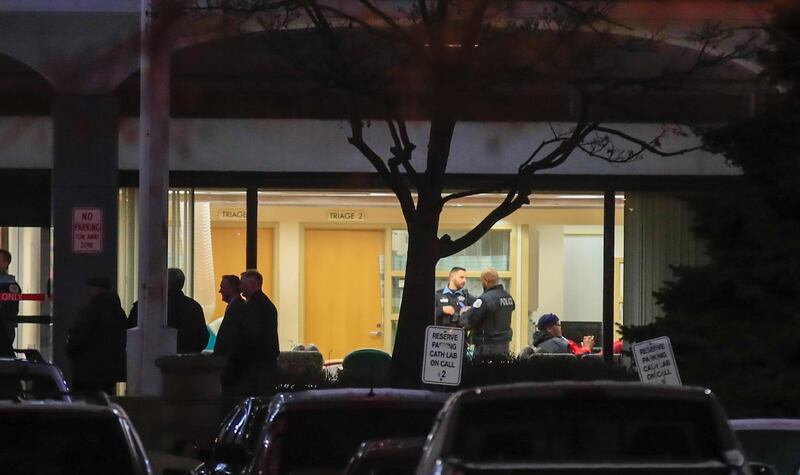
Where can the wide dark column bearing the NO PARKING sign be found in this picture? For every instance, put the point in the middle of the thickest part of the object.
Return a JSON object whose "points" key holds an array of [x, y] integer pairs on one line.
{"points": [[85, 180]]}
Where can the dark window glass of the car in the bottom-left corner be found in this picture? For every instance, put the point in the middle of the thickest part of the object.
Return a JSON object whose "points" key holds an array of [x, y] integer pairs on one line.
{"points": [[53, 443]]}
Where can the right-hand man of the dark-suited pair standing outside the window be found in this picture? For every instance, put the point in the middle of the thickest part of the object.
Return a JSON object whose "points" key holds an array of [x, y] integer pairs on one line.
{"points": [[252, 363]]}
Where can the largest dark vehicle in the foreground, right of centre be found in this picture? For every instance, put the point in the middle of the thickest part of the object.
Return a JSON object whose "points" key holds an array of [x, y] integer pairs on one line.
{"points": [[582, 427]]}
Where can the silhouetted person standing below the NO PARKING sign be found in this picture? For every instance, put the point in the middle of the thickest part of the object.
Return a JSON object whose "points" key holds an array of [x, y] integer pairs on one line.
{"points": [[97, 340]]}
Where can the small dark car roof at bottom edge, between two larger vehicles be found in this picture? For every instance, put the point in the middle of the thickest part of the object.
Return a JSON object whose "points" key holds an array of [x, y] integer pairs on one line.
{"points": [[386, 457]]}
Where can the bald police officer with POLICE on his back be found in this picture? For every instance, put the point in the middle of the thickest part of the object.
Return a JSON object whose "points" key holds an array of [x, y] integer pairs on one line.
{"points": [[490, 317]]}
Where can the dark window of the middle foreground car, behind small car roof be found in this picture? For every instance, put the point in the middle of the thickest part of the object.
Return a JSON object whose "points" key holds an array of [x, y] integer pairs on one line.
{"points": [[323, 440]]}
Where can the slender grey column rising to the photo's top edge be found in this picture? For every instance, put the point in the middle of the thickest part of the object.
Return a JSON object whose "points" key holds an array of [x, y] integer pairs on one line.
{"points": [[152, 338]]}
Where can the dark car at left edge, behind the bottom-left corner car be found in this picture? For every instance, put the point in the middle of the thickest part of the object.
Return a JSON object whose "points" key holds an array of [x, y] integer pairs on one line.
{"points": [[29, 376]]}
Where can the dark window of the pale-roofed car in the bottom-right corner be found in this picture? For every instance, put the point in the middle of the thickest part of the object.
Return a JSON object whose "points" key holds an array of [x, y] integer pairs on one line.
{"points": [[779, 448]]}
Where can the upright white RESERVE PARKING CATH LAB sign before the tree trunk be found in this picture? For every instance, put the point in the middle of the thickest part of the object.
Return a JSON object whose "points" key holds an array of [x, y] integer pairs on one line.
{"points": [[444, 353]]}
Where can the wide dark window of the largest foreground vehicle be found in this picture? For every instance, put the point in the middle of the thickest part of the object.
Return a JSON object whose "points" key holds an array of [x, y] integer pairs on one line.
{"points": [[584, 430]]}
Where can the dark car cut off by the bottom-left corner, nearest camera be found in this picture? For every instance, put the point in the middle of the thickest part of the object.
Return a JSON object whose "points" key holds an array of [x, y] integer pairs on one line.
{"points": [[68, 438]]}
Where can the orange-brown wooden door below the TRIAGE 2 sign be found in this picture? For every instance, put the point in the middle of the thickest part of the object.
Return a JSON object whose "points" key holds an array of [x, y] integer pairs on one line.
{"points": [[343, 278]]}
